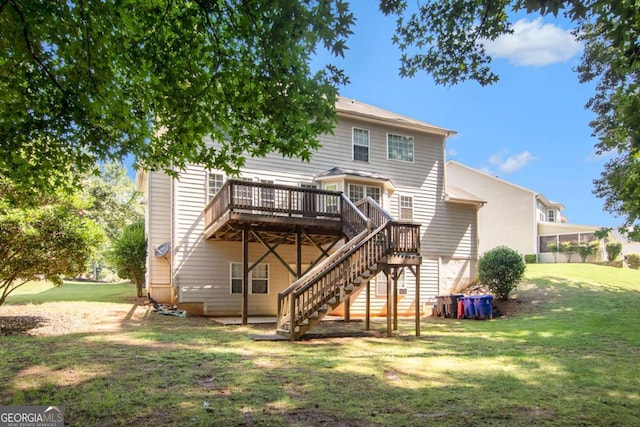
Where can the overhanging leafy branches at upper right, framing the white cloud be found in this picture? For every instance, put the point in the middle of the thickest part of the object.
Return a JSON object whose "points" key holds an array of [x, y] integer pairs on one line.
{"points": [[447, 38]]}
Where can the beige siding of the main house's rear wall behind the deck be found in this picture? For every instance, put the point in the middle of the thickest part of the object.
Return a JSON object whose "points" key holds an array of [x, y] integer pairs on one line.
{"points": [[201, 268]]}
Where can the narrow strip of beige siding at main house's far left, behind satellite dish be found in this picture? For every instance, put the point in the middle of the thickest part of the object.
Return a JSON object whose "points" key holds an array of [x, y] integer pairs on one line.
{"points": [[158, 224]]}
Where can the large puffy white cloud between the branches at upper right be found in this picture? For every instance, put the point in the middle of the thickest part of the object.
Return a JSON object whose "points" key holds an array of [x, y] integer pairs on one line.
{"points": [[534, 43]]}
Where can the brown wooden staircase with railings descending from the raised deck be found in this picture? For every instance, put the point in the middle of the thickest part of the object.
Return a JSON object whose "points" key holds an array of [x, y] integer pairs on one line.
{"points": [[373, 237]]}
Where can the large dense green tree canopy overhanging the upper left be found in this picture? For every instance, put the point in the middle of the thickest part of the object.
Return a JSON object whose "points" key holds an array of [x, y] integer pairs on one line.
{"points": [[91, 81]]}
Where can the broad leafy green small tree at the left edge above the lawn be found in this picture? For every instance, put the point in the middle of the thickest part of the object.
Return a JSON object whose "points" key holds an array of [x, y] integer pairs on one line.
{"points": [[45, 241]]}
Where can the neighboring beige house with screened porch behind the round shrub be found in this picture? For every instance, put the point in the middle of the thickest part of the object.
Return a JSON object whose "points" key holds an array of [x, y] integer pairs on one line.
{"points": [[517, 217]]}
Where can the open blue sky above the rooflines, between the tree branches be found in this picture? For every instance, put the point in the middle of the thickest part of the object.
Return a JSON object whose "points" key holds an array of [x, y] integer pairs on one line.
{"points": [[530, 128]]}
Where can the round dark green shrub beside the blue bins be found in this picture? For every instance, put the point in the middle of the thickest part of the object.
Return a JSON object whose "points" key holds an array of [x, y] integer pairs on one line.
{"points": [[501, 269]]}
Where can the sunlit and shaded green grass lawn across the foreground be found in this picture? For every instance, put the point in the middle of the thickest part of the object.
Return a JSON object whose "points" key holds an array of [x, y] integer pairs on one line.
{"points": [[567, 356]]}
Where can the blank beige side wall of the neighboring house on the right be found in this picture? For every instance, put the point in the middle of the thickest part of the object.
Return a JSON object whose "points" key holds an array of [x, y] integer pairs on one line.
{"points": [[507, 218]]}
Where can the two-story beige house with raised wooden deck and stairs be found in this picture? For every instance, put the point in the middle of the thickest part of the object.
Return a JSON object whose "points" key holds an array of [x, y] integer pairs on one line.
{"points": [[272, 241]]}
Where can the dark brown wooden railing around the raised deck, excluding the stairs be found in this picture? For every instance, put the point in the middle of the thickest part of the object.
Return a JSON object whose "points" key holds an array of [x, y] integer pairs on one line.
{"points": [[274, 200]]}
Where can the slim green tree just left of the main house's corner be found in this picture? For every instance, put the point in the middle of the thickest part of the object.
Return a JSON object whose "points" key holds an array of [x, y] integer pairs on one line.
{"points": [[129, 254]]}
